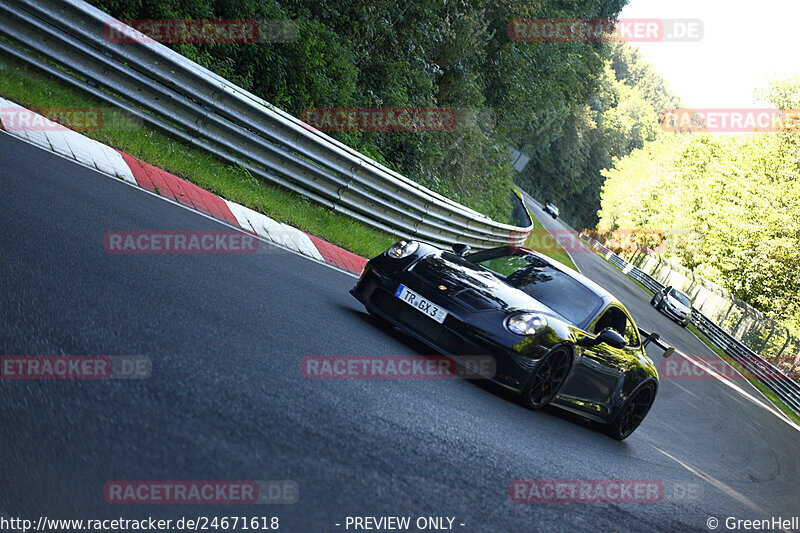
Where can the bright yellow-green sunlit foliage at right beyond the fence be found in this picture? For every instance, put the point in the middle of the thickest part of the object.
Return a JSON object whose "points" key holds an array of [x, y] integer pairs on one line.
{"points": [[729, 206]]}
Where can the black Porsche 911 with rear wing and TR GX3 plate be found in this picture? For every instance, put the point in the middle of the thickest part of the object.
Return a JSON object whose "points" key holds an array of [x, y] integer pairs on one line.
{"points": [[557, 337]]}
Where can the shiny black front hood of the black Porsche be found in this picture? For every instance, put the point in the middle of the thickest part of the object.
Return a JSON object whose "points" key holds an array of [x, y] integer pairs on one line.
{"points": [[473, 286]]}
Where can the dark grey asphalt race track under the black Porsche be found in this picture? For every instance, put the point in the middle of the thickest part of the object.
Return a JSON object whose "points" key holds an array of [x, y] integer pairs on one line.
{"points": [[227, 401]]}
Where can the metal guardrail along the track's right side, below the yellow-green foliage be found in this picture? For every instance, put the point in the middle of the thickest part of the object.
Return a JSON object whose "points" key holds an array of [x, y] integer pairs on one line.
{"points": [[787, 389]]}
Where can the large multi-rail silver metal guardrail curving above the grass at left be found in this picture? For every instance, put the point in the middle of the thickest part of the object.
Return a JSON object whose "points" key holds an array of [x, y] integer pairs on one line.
{"points": [[65, 39]]}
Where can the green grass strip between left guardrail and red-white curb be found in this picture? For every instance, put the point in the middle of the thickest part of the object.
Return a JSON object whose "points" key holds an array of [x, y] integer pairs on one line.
{"points": [[29, 88]]}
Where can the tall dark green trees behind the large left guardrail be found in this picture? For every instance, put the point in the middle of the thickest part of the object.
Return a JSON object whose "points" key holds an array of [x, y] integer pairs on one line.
{"points": [[558, 102]]}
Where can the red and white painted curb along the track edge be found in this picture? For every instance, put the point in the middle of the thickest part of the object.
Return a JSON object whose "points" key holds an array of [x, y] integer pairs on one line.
{"points": [[72, 145]]}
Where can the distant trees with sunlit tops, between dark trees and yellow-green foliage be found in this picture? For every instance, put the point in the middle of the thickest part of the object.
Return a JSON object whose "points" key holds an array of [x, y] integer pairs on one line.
{"points": [[621, 115]]}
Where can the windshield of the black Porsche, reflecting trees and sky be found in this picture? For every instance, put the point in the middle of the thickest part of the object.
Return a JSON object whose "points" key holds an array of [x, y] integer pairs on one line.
{"points": [[560, 292]]}
